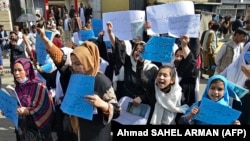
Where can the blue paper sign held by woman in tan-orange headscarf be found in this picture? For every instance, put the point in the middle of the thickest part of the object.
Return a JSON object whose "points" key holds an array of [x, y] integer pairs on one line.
{"points": [[74, 102]]}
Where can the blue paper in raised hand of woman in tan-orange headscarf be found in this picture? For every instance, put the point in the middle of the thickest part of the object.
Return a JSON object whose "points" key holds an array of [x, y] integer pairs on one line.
{"points": [[41, 49]]}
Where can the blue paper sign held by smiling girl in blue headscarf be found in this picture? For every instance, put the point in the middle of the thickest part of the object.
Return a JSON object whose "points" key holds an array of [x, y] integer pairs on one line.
{"points": [[216, 114]]}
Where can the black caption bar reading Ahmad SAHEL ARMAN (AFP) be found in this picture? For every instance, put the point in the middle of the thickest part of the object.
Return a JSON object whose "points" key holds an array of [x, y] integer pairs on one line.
{"points": [[219, 132]]}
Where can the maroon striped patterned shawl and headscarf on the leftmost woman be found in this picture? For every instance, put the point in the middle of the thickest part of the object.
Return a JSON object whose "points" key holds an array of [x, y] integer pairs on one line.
{"points": [[34, 95]]}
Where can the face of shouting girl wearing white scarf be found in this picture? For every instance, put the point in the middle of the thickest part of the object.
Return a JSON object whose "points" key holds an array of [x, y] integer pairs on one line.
{"points": [[163, 78]]}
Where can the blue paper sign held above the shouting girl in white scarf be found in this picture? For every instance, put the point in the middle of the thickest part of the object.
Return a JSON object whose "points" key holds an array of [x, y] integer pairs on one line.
{"points": [[159, 49]]}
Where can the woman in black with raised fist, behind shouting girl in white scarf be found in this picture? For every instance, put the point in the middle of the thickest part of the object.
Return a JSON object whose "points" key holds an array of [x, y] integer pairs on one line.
{"points": [[126, 68]]}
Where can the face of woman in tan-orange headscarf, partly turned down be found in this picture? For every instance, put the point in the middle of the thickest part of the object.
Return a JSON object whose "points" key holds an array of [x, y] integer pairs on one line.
{"points": [[76, 65]]}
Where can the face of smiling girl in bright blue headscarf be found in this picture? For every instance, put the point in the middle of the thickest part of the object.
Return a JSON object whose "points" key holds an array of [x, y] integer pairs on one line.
{"points": [[216, 90]]}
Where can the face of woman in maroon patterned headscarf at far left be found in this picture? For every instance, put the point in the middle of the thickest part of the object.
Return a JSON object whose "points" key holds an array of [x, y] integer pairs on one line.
{"points": [[19, 72]]}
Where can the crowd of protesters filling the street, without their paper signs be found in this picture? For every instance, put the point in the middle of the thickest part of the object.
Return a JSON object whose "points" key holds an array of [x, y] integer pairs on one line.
{"points": [[169, 89]]}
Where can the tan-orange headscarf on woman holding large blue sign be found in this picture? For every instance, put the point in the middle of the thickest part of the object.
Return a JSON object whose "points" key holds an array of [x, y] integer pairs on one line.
{"points": [[88, 55]]}
